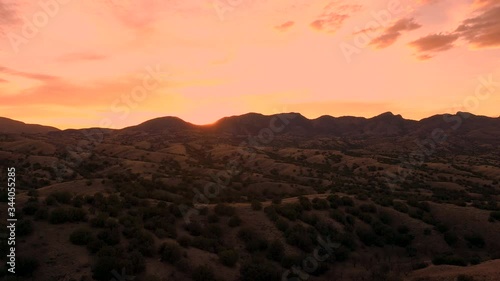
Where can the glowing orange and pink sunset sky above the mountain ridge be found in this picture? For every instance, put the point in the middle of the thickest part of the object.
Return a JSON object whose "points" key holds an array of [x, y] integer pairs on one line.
{"points": [[117, 63]]}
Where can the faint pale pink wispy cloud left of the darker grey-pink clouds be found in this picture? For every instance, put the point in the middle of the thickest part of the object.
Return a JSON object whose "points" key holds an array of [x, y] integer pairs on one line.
{"points": [[333, 17]]}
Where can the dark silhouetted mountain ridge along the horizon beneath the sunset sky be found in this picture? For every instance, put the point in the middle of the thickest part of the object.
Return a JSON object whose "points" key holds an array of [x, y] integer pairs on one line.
{"points": [[464, 125]]}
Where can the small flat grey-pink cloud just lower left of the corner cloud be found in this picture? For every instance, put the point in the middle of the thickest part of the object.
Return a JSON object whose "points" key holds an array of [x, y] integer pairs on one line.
{"points": [[433, 43]]}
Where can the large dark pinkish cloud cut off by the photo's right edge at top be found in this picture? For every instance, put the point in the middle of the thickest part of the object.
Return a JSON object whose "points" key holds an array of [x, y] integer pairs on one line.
{"points": [[482, 31]]}
